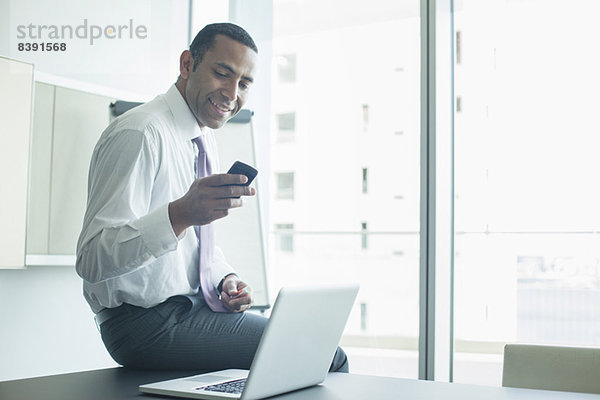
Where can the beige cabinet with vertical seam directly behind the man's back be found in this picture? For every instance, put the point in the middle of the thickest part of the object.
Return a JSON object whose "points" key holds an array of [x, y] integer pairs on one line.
{"points": [[66, 126]]}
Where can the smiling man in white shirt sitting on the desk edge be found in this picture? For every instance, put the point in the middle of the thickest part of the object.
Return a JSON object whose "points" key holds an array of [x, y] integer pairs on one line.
{"points": [[146, 241]]}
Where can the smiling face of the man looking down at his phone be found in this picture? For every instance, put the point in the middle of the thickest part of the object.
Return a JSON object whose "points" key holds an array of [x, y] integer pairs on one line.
{"points": [[218, 88]]}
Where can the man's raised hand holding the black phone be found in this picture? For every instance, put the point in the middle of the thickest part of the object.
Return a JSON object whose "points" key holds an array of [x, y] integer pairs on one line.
{"points": [[208, 199]]}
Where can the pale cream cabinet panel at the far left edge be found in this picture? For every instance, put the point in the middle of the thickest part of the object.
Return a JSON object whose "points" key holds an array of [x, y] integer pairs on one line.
{"points": [[16, 80]]}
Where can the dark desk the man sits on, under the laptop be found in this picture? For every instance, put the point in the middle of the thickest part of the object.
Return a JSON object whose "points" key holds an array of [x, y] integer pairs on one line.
{"points": [[120, 383]]}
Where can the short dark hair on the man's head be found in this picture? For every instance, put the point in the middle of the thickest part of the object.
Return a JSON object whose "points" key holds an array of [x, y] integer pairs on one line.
{"points": [[205, 39]]}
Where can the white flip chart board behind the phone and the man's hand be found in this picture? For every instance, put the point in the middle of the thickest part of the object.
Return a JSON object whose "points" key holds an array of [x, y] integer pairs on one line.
{"points": [[241, 235]]}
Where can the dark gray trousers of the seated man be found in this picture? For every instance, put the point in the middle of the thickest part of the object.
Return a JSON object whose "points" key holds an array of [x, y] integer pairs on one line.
{"points": [[185, 334]]}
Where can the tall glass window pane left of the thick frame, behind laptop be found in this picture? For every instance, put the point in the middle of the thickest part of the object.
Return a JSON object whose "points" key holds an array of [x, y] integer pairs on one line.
{"points": [[350, 70]]}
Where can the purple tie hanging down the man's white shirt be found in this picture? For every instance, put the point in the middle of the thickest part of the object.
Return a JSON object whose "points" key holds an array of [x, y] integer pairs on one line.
{"points": [[205, 235]]}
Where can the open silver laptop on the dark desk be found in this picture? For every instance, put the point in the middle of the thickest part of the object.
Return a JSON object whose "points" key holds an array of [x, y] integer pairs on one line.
{"points": [[295, 351]]}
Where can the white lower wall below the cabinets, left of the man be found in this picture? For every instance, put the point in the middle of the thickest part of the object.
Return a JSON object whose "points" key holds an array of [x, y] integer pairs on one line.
{"points": [[46, 327]]}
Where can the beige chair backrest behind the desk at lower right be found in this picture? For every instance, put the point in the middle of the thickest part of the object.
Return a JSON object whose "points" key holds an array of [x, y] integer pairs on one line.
{"points": [[573, 369]]}
